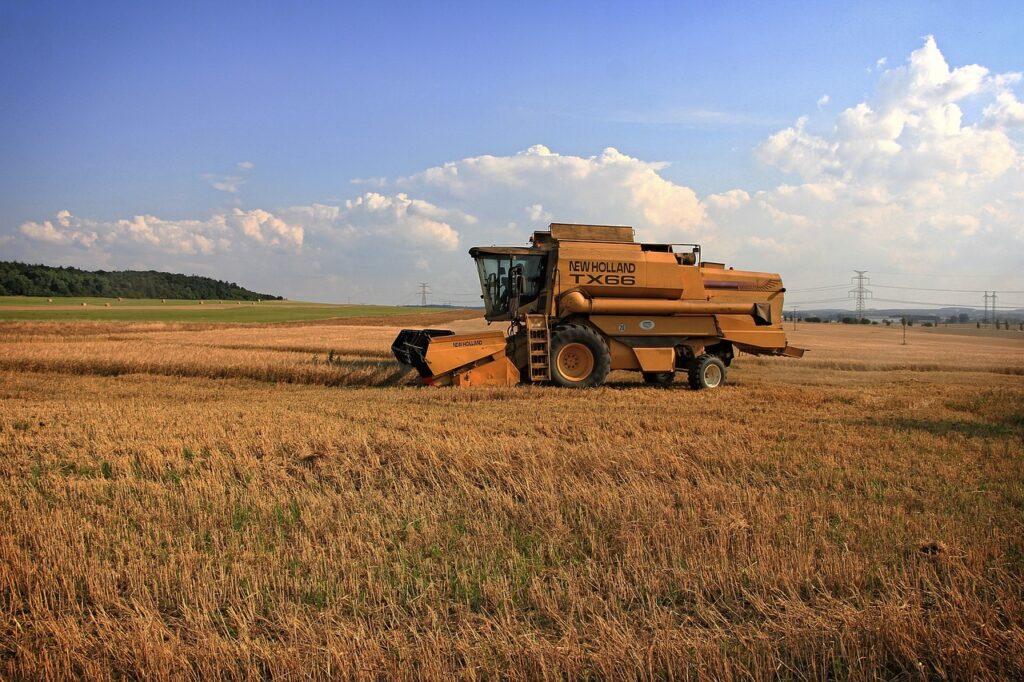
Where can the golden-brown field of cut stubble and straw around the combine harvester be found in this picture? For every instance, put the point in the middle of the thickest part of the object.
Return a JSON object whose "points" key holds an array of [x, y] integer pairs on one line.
{"points": [[245, 503]]}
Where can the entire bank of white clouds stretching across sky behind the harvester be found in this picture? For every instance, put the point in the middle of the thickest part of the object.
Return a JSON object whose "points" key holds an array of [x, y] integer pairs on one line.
{"points": [[924, 177]]}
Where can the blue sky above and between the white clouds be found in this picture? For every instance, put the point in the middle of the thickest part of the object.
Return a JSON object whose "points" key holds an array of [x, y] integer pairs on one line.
{"points": [[132, 109]]}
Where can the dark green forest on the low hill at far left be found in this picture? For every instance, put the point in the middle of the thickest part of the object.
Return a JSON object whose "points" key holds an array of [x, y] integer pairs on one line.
{"points": [[24, 280]]}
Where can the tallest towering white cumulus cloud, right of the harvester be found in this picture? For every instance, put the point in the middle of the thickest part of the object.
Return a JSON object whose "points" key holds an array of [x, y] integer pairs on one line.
{"points": [[902, 180]]}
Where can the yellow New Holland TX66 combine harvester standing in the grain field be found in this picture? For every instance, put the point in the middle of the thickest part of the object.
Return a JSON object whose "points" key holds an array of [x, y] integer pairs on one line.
{"points": [[584, 301]]}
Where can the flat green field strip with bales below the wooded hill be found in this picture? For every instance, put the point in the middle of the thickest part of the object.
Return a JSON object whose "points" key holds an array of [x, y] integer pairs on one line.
{"points": [[28, 308]]}
